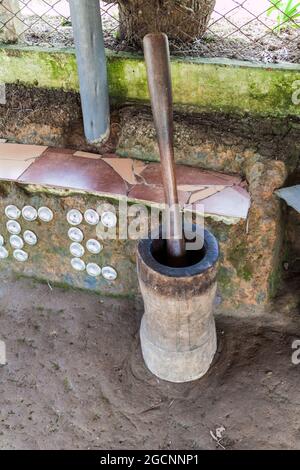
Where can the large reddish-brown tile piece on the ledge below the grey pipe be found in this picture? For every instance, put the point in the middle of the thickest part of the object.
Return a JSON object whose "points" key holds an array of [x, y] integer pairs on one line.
{"points": [[62, 169]]}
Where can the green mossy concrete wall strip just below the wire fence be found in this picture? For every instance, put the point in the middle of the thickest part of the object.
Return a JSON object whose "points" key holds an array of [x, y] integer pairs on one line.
{"points": [[199, 84]]}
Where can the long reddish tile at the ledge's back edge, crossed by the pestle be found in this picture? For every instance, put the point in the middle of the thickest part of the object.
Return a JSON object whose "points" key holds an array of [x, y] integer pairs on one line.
{"points": [[187, 175]]}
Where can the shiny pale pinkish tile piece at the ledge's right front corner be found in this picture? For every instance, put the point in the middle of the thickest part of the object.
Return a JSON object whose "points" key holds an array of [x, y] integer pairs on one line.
{"points": [[231, 202]]}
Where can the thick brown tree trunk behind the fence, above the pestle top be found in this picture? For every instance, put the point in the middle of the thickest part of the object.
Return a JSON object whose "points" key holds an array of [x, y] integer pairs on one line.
{"points": [[183, 20]]}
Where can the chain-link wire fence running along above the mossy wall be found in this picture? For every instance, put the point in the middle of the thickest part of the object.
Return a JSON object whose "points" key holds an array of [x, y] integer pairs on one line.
{"points": [[263, 30]]}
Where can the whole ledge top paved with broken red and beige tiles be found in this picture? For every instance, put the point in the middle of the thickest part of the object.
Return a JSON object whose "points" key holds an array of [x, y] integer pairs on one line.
{"points": [[221, 195]]}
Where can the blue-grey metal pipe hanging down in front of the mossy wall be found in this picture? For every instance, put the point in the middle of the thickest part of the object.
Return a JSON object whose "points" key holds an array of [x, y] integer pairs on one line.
{"points": [[91, 62]]}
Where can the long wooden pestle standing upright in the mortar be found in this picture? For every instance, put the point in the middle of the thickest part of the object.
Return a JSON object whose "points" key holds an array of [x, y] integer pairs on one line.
{"points": [[157, 57]]}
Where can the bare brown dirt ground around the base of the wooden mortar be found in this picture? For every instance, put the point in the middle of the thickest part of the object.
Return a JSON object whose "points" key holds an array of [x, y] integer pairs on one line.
{"points": [[75, 379]]}
